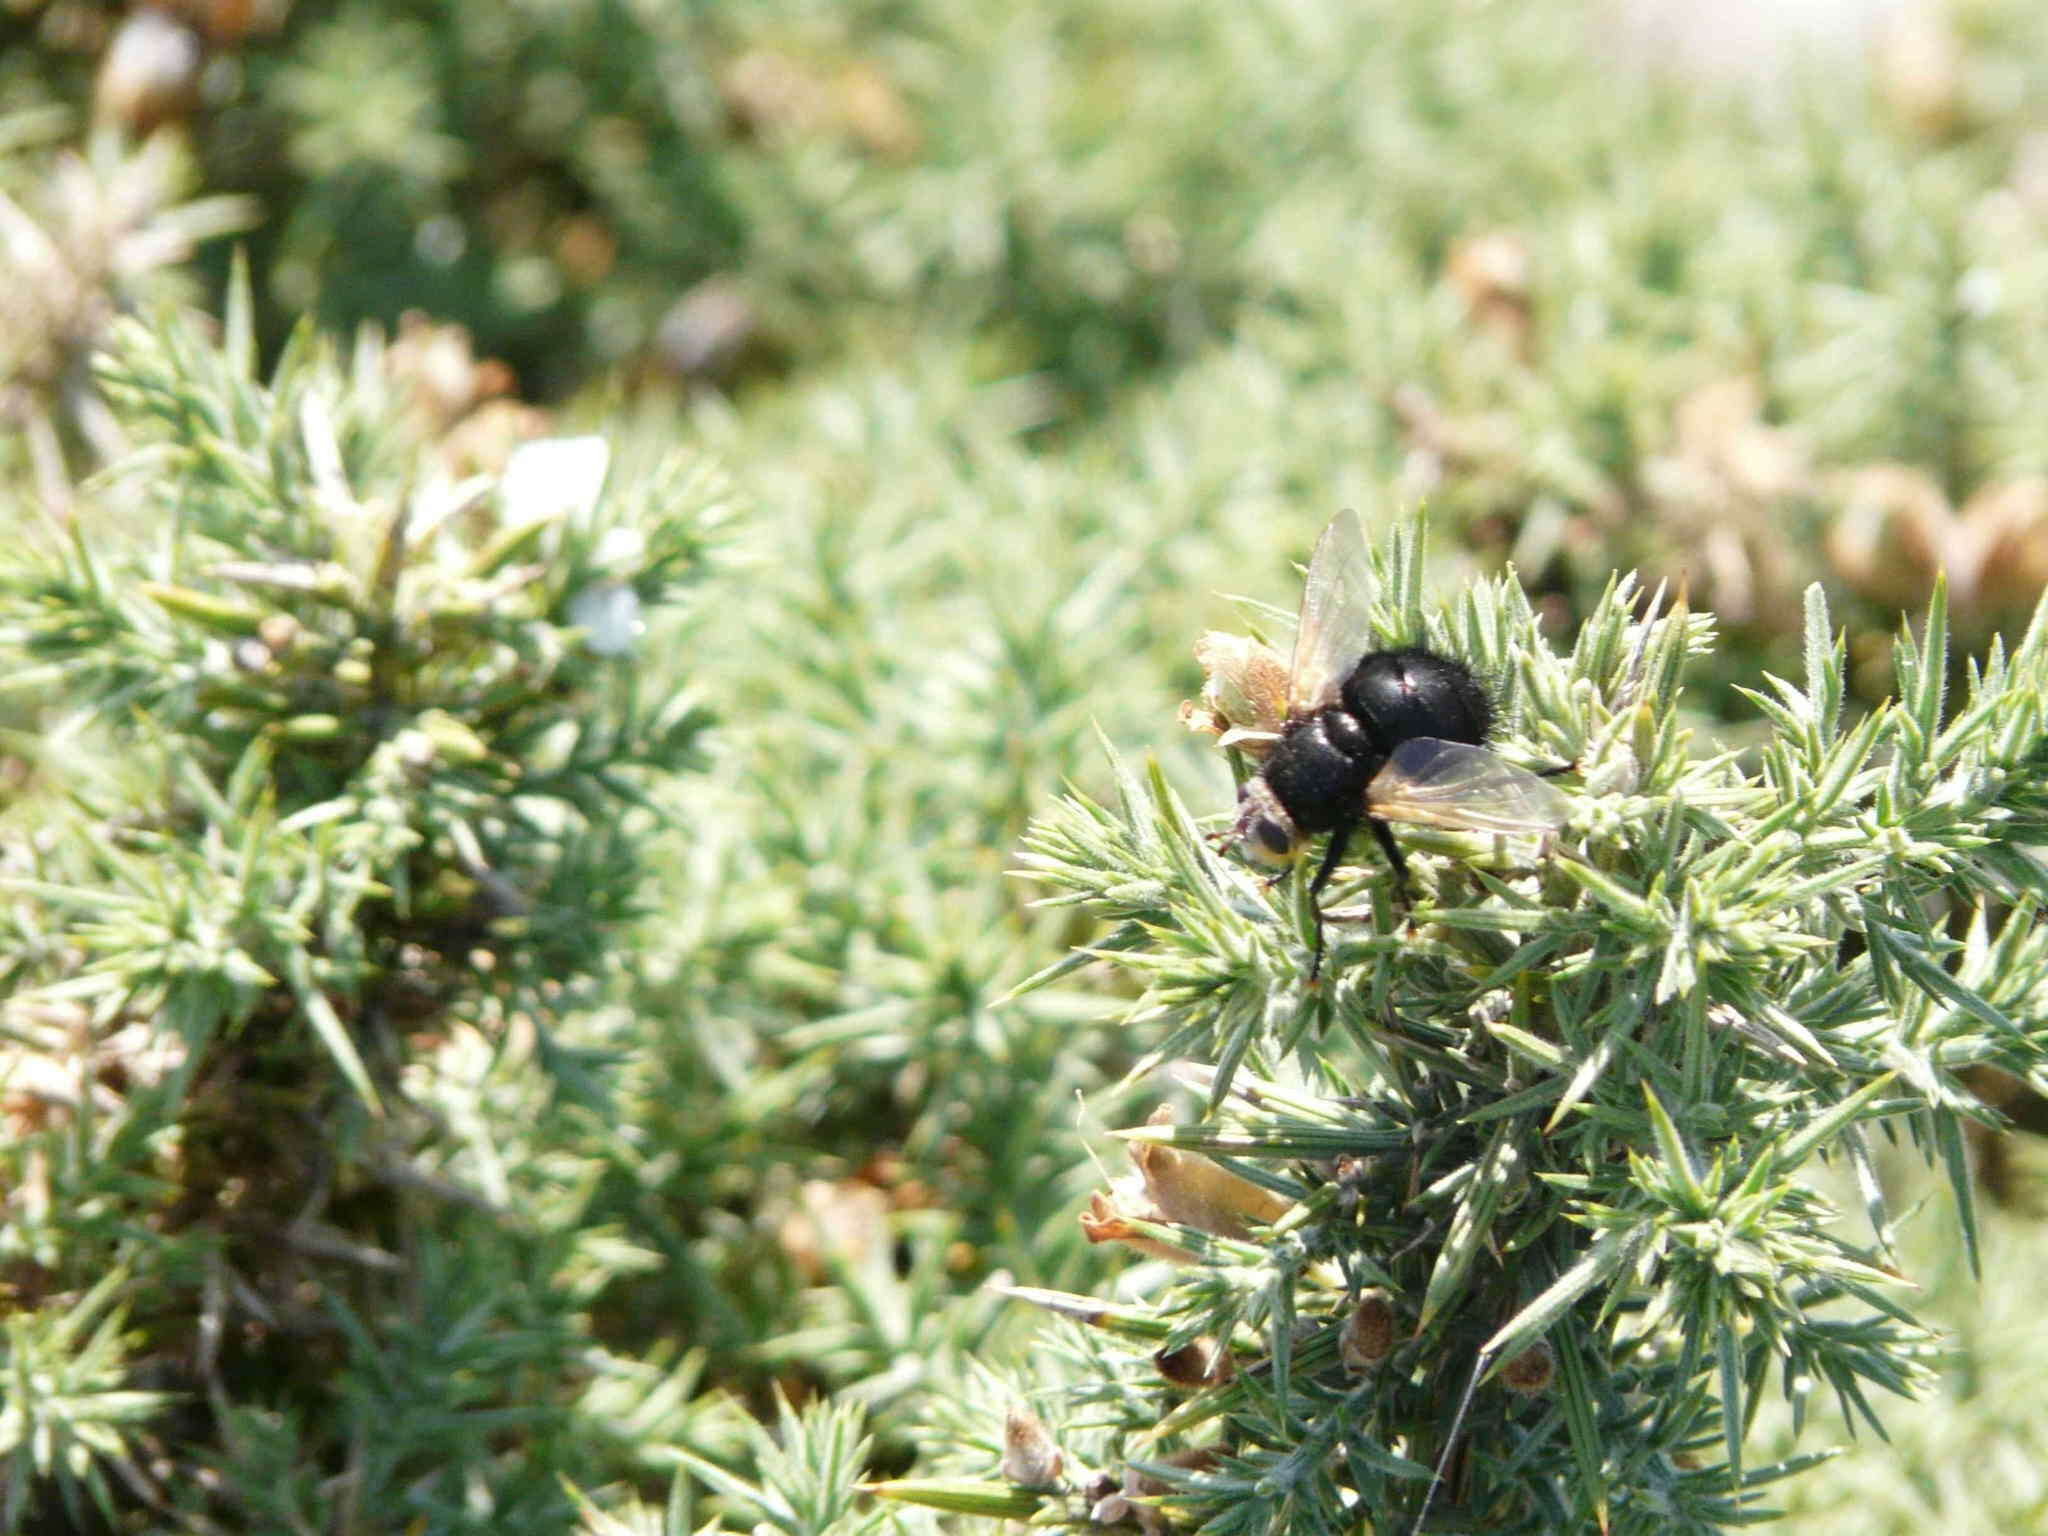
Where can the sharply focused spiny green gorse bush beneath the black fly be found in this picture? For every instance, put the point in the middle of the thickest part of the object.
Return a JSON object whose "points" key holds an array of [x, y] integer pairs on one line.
{"points": [[1510, 1222]]}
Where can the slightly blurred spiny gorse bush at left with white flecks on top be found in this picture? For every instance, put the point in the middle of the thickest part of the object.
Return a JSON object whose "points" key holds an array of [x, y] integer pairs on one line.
{"points": [[308, 896]]}
